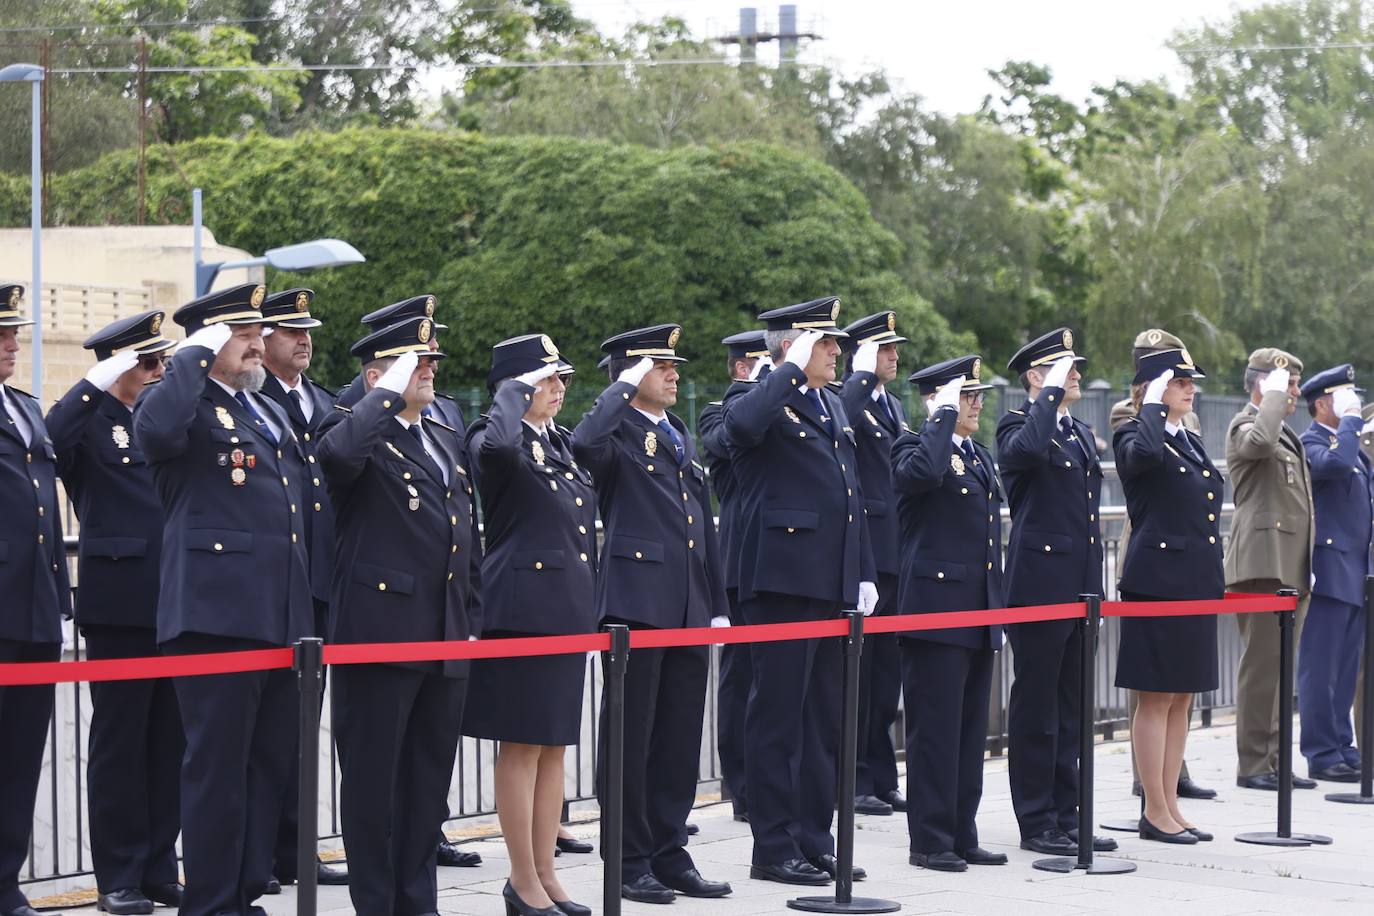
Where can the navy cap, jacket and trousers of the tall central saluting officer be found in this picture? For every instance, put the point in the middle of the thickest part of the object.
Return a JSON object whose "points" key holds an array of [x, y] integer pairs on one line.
{"points": [[802, 550]]}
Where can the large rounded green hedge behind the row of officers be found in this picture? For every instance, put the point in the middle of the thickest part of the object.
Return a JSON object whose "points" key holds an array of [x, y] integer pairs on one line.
{"points": [[578, 240]]}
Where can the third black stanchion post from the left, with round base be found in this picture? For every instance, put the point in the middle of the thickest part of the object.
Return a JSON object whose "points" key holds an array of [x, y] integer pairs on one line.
{"points": [[844, 902]]}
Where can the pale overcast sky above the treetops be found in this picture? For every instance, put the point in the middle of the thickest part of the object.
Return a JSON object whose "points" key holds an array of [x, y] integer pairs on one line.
{"points": [[942, 49]]}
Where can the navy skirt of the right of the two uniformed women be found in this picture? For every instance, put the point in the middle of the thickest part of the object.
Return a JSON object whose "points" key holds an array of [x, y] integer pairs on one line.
{"points": [[1167, 654]]}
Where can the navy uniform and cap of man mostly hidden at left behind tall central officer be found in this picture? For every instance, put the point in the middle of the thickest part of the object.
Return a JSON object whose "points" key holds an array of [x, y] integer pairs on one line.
{"points": [[736, 671]]}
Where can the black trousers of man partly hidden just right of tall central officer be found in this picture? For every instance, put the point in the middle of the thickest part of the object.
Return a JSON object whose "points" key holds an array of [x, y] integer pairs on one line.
{"points": [[880, 689]]}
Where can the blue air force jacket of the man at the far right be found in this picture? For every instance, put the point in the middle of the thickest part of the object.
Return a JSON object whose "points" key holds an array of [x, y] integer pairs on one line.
{"points": [[1342, 505]]}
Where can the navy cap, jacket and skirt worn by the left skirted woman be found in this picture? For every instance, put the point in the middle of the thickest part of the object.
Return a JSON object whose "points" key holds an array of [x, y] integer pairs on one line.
{"points": [[539, 576]]}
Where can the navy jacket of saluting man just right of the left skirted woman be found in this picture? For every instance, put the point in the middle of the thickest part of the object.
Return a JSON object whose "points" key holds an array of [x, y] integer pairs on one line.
{"points": [[660, 565]]}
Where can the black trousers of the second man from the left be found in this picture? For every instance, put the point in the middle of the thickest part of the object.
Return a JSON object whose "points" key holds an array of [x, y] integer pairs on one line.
{"points": [[134, 770]]}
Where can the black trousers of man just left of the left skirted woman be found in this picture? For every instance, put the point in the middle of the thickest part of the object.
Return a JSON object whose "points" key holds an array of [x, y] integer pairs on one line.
{"points": [[398, 731]]}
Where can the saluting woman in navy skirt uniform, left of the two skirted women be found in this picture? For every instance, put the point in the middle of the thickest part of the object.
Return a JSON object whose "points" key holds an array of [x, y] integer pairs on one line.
{"points": [[538, 580]]}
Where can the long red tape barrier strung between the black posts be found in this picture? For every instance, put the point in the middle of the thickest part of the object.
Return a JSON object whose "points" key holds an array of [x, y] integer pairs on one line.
{"points": [[124, 669]]}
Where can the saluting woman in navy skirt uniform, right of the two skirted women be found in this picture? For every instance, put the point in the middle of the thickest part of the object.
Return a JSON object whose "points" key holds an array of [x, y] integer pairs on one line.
{"points": [[1174, 499]]}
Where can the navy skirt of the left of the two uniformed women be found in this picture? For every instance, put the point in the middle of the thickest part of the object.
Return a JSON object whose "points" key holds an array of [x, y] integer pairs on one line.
{"points": [[528, 701]]}
